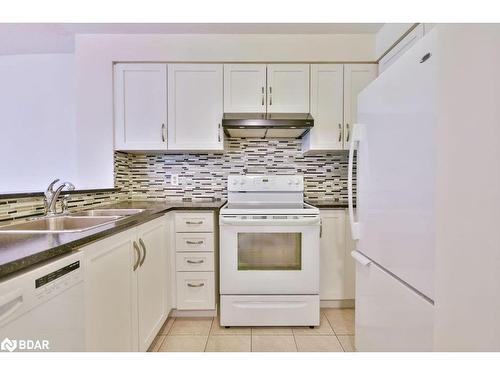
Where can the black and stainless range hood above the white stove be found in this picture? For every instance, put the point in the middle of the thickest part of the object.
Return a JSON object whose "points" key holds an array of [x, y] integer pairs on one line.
{"points": [[266, 125]]}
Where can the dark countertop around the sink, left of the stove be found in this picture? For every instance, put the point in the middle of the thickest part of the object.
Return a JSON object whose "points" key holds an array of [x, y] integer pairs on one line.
{"points": [[22, 250]]}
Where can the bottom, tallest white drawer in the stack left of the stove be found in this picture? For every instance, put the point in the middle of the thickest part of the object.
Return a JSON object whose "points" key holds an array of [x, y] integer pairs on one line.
{"points": [[195, 291]]}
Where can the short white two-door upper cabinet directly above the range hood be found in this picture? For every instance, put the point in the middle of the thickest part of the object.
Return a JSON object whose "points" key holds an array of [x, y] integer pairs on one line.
{"points": [[272, 88]]}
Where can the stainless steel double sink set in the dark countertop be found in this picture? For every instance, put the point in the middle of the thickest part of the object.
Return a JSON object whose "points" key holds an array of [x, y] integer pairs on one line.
{"points": [[72, 222]]}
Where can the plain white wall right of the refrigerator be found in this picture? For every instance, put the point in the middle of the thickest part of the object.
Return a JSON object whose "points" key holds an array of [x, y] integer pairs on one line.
{"points": [[467, 279]]}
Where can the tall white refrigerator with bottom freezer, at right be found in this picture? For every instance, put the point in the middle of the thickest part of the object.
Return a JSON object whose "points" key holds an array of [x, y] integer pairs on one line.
{"points": [[393, 219]]}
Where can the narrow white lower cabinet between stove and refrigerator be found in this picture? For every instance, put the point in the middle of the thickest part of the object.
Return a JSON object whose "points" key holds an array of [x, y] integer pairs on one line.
{"points": [[337, 270]]}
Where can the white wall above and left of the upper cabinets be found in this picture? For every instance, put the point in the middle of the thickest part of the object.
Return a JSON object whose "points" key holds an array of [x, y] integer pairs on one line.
{"points": [[95, 55]]}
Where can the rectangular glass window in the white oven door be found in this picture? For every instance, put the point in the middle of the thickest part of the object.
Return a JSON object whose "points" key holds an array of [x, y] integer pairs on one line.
{"points": [[269, 251]]}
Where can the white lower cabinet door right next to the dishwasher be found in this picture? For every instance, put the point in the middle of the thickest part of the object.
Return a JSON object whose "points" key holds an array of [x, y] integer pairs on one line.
{"points": [[110, 290]]}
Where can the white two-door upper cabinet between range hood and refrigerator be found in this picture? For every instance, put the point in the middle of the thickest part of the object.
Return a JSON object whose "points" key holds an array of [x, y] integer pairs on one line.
{"points": [[334, 95]]}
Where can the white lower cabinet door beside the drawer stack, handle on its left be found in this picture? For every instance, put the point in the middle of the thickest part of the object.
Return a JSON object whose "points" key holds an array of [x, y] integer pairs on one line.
{"points": [[152, 281]]}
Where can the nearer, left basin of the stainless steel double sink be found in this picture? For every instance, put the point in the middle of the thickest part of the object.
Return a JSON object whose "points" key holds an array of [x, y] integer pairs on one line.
{"points": [[59, 224]]}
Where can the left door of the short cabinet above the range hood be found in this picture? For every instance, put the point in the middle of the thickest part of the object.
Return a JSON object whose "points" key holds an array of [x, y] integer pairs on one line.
{"points": [[244, 88]]}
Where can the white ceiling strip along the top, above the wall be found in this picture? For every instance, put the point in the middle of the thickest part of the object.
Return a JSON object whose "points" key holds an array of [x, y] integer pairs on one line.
{"points": [[59, 38]]}
